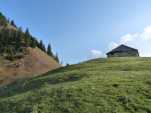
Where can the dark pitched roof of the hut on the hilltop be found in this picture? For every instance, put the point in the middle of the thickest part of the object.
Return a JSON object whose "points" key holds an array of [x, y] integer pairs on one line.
{"points": [[122, 48]]}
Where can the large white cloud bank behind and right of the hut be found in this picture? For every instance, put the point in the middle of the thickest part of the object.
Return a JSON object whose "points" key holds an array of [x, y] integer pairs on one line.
{"points": [[139, 40]]}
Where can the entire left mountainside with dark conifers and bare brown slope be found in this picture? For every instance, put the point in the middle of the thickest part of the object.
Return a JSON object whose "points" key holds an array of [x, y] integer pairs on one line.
{"points": [[21, 54]]}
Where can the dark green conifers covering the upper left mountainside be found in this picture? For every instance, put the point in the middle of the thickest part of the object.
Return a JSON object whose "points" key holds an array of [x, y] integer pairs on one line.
{"points": [[13, 40]]}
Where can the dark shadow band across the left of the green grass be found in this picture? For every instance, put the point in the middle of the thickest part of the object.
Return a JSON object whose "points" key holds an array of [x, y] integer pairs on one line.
{"points": [[21, 86]]}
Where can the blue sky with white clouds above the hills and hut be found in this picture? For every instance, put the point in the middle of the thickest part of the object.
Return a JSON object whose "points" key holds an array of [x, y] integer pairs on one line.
{"points": [[82, 29]]}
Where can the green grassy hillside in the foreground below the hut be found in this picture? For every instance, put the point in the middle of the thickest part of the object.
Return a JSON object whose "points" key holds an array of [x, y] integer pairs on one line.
{"points": [[117, 85]]}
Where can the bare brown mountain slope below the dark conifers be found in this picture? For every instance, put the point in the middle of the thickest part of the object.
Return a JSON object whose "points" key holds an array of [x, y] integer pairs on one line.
{"points": [[35, 62]]}
